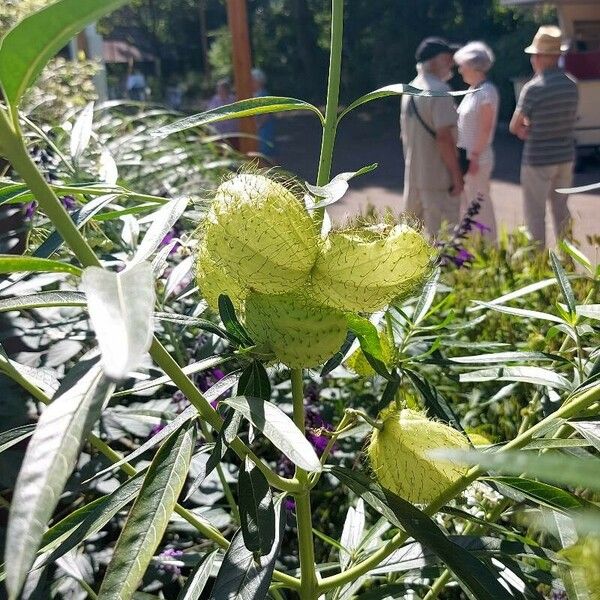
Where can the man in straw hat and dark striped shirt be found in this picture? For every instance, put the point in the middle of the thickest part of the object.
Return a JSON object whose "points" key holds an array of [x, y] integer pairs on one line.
{"points": [[545, 120]]}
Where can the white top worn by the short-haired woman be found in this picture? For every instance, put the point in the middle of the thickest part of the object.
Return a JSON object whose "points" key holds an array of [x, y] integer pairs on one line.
{"points": [[468, 119]]}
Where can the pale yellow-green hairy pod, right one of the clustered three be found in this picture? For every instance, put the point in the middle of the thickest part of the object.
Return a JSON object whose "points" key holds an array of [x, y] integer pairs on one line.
{"points": [[365, 269]]}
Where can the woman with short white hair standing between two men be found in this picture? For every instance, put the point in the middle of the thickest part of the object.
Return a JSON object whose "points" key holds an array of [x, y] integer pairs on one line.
{"points": [[477, 120]]}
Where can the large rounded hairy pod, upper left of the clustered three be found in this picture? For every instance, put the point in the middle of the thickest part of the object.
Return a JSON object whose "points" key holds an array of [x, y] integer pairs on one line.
{"points": [[261, 235]]}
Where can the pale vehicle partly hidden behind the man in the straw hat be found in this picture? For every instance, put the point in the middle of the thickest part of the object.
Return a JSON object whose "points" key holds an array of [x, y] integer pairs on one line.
{"points": [[580, 23]]}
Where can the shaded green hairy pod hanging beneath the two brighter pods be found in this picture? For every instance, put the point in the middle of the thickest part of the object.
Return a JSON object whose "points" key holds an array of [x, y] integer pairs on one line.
{"points": [[298, 333]]}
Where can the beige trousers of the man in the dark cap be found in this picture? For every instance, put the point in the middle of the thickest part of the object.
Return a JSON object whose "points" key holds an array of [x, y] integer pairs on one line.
{"points": [[433, 207]]}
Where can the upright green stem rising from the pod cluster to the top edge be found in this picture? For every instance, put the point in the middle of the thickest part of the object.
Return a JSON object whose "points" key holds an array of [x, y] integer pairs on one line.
{"points": [[333, 92]]}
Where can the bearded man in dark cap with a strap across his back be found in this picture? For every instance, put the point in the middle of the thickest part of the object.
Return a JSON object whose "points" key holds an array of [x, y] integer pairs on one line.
{"points": [[433, 180]]}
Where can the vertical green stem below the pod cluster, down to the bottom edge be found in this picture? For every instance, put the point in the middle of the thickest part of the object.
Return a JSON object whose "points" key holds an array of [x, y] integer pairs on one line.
{"points": [[306, 550]]}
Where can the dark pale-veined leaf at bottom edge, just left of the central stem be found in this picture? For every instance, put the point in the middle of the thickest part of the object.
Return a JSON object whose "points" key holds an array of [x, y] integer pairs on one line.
{"points": [[241, 576]]}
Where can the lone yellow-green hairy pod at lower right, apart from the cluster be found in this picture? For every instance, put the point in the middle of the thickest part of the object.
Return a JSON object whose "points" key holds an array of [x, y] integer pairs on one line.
{"points": [[399, 455]]}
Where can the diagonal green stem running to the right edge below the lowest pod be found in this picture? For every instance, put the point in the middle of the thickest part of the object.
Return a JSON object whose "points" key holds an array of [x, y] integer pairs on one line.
{"points": [[569, 409]]}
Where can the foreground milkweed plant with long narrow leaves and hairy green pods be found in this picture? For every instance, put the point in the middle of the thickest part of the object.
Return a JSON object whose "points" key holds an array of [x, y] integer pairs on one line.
{"points": [[294, 300]]}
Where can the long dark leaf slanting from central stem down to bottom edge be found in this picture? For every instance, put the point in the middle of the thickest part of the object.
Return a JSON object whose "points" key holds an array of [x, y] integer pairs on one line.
{"points": [[471, 572]]}
